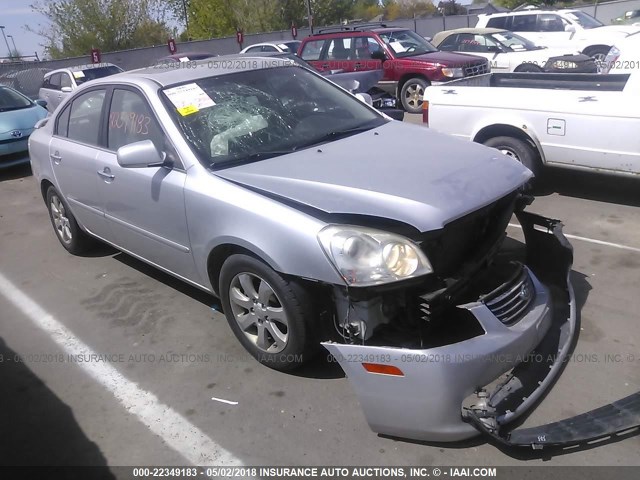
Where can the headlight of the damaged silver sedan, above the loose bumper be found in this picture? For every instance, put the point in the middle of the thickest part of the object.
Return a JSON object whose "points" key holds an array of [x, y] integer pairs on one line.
{"points": [[364, 256]]}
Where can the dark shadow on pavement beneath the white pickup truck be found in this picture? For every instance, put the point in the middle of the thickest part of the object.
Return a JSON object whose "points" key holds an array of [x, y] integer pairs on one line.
{"points": [[595, 186]]}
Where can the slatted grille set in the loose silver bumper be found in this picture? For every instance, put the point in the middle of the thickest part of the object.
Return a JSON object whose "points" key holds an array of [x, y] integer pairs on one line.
{"points": [[511, 300]]}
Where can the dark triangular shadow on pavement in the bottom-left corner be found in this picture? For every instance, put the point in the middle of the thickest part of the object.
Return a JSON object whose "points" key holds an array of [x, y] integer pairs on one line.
{"points": [[38, 429]]}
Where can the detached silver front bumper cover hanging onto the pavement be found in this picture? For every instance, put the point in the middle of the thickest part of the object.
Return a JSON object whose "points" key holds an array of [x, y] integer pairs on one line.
{"points": [[426, 401]]}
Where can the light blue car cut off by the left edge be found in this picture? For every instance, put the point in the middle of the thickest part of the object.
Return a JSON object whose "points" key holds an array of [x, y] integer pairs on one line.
{"points": [[18, 116]]}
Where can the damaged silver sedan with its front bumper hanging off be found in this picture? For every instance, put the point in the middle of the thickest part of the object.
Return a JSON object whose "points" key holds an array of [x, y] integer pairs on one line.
{"points": [[319, 221]]}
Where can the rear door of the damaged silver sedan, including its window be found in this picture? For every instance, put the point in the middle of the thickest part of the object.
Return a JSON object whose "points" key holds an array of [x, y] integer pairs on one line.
{"points": [[73, 150]]}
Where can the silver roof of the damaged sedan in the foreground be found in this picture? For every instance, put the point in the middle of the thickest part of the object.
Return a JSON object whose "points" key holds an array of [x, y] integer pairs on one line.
{"points": [[223, 65]]}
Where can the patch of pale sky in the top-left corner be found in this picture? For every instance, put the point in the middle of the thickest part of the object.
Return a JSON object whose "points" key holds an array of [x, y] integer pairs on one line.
{"points": [[14, 15]]}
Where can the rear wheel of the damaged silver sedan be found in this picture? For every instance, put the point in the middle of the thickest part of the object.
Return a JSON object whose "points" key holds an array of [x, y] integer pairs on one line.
{"points": [[69, 233]]}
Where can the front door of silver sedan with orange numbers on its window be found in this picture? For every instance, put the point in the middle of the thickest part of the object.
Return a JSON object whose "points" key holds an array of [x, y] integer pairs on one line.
{"points": [[144, 207]]}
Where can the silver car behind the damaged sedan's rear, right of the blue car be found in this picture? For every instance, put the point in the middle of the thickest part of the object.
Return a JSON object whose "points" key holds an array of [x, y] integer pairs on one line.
{"points": [[57, 84]]}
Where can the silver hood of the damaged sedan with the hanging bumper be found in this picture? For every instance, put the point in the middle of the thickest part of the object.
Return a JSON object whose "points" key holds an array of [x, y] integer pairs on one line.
{"points": [[402, 172]]}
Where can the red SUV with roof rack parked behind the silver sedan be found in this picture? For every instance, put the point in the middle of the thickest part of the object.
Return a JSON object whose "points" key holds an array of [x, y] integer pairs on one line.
{"points": [[409, 61]]}
